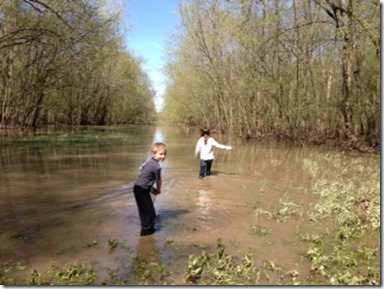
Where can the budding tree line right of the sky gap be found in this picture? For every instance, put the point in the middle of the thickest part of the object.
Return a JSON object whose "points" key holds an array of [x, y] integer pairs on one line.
{"points": [[300, 69]]}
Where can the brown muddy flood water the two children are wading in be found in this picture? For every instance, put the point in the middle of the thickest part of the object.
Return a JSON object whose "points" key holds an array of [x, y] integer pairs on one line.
{"points": [[63, 204]]}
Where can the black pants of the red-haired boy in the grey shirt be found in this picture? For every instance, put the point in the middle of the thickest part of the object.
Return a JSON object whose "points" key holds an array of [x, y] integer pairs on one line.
{"points": [[146, 210]]}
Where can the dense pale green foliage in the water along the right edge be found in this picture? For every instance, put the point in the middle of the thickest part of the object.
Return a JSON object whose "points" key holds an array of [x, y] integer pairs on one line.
{"points": [[353, 206]]}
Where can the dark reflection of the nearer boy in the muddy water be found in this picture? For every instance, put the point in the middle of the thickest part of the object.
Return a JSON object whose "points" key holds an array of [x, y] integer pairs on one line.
{"points": [[146, 266]]}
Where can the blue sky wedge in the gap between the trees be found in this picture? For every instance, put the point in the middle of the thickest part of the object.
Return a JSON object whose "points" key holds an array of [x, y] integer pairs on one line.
{"points": [[151, 22]]}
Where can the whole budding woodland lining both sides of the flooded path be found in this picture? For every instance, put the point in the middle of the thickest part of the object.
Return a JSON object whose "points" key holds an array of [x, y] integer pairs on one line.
{"points": [[304, 70]]}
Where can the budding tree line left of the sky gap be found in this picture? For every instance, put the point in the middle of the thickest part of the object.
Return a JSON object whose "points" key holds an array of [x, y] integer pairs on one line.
{"points": [[65, 63]]}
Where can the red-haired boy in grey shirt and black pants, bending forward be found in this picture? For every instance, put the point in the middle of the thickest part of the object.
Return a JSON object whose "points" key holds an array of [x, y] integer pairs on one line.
{"points": [[150, 173]]}
